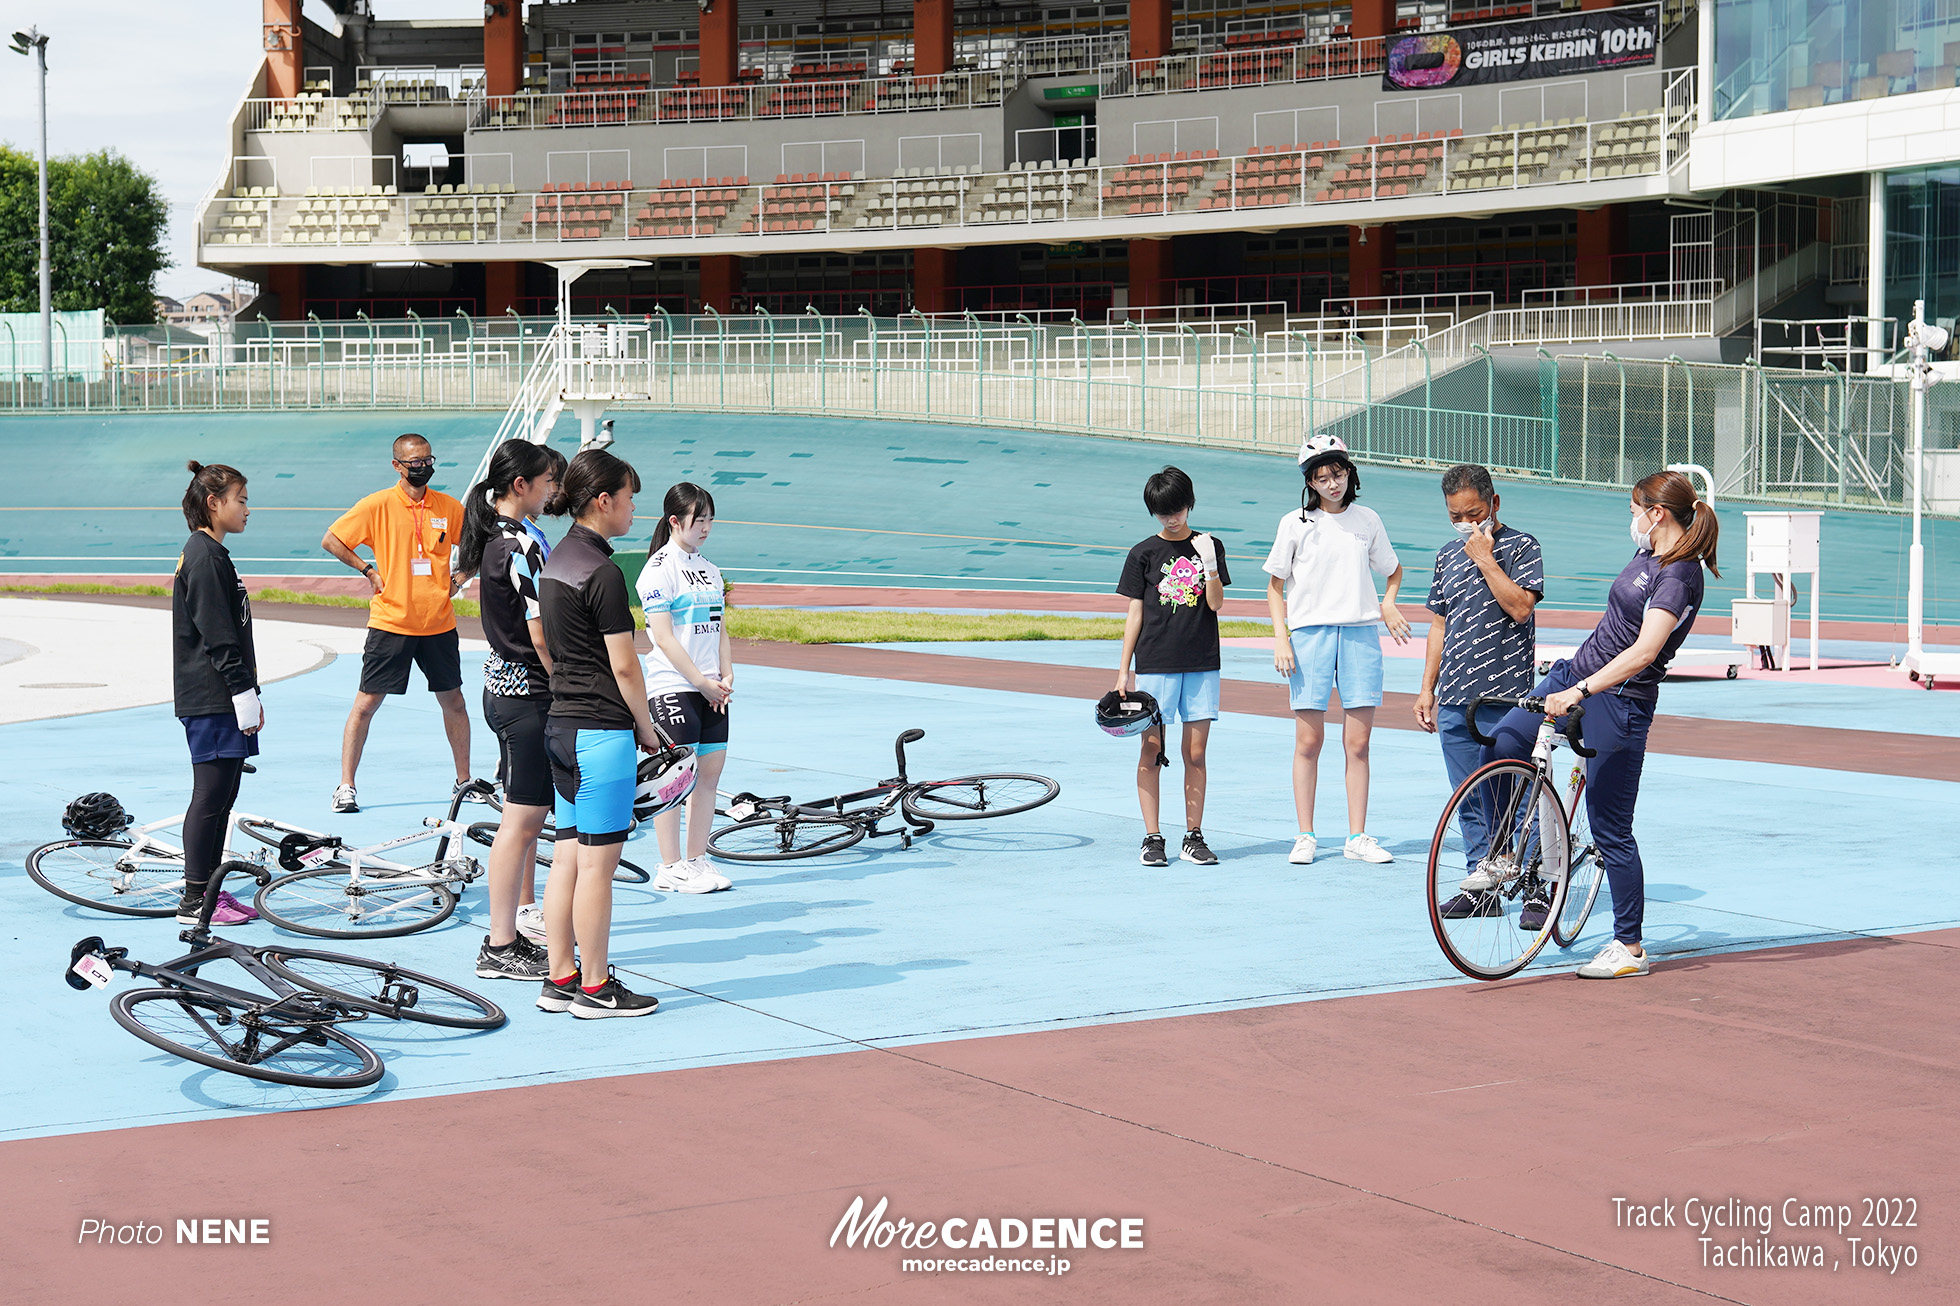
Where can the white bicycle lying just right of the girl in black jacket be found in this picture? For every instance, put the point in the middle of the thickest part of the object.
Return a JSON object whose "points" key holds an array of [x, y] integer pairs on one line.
{"points": [[352, 893]]}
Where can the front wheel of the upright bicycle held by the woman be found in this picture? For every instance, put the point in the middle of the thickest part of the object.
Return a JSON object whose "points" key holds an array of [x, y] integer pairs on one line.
{"points": [[1508, 829]]}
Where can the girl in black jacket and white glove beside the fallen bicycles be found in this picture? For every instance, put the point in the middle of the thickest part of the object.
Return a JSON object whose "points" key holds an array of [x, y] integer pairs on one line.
{"points": [[217, 678]]}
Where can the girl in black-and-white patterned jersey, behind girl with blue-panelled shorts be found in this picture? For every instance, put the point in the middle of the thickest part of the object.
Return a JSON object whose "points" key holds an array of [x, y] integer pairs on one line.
{"points": [[511, 562]]}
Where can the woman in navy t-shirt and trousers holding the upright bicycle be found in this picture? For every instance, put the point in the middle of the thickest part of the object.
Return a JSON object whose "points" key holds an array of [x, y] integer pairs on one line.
{"points": [[1618, 678]]}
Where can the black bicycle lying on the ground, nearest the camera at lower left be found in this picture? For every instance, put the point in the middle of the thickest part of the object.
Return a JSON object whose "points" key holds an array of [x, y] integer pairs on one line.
{"points": [[289, 1034]]}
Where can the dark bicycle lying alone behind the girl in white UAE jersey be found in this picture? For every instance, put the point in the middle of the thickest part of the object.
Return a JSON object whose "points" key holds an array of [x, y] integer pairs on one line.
{"points": [[783, 830]]}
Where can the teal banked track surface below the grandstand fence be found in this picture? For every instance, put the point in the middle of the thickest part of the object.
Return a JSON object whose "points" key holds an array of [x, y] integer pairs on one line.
{"points": [[842, 503]]}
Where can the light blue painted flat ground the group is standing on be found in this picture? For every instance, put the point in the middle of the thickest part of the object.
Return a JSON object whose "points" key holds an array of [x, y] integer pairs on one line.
{"points": [[1028, 923]]}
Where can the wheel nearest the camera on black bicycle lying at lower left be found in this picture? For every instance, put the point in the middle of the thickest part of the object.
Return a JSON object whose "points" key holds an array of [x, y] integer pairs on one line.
{"points": [[248, 1040]]}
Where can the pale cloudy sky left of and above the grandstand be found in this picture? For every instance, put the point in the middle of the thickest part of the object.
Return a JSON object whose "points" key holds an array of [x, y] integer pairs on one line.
{"points": [[156, 81]]}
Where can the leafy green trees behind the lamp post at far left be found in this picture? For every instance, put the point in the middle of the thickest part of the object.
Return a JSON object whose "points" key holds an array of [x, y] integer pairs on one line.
{"points": [[107, 226]]}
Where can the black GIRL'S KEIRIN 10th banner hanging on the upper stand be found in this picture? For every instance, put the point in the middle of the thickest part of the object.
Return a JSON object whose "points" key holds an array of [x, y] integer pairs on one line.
{"points": [[1528, 50]]}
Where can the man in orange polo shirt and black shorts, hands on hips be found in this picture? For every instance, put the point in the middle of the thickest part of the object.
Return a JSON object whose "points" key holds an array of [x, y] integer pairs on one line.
{"points": [[411, 530]]}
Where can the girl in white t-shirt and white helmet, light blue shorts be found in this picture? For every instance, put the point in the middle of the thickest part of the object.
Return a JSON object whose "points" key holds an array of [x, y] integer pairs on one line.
{"points": [[1324, 623]]}
